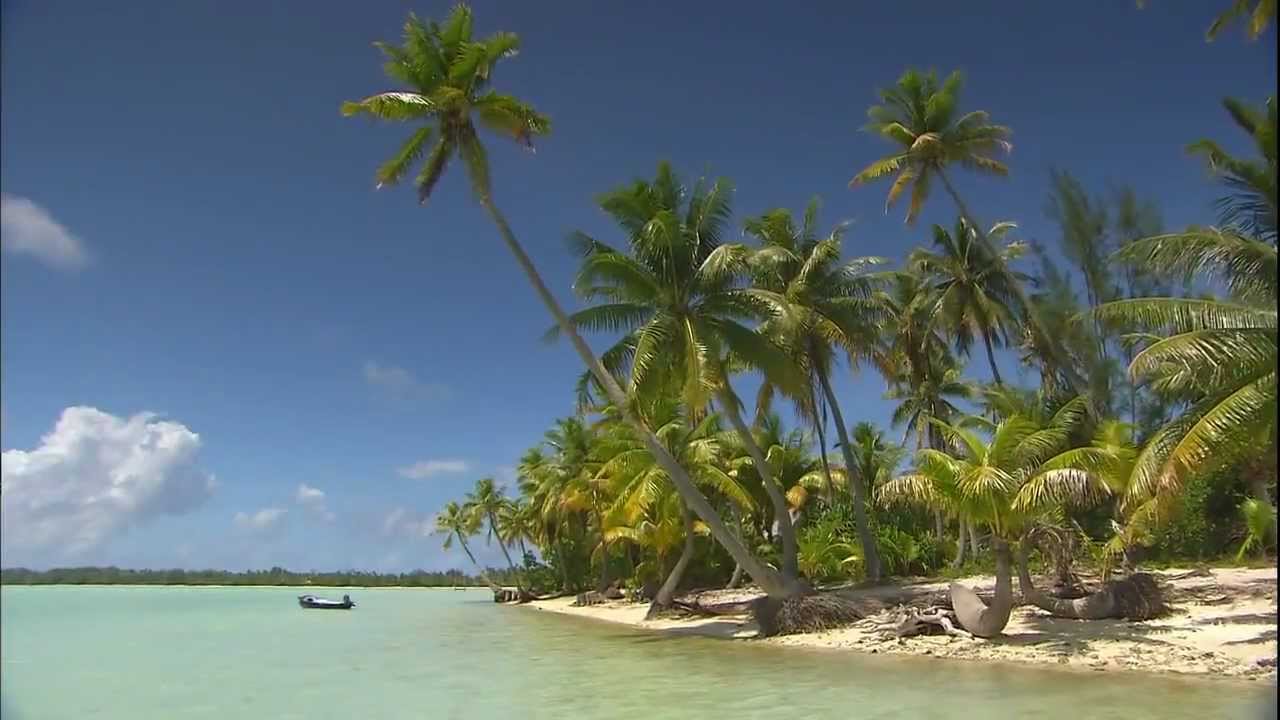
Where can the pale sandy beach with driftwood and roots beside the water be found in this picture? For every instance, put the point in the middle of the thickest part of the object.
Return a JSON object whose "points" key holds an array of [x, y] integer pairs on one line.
{"points": [[1222, 626]]}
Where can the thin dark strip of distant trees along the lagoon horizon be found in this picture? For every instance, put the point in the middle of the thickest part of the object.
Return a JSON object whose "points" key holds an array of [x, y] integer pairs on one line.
{"points": [[273, 577]]}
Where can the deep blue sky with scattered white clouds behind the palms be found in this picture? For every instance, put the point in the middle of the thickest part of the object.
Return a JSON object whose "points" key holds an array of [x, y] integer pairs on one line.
{"points": [[234, 271]]}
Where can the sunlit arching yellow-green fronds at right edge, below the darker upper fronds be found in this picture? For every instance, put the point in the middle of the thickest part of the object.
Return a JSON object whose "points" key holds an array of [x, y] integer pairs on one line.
{"points": [[1218, 354]]}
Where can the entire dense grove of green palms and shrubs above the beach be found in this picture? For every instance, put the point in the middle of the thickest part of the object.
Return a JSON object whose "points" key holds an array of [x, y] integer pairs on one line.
{"points": [[1154, 400]]}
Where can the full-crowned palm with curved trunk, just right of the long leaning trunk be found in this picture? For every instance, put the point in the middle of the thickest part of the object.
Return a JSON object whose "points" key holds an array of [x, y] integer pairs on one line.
{"points": [[679, 299]]}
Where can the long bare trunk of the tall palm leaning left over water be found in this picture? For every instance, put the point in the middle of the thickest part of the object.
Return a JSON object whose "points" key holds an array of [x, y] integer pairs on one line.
{"points": [[770, 581]]}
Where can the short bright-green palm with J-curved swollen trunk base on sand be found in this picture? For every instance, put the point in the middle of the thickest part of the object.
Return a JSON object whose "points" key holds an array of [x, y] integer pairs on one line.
{"points": [[1009, 484]]}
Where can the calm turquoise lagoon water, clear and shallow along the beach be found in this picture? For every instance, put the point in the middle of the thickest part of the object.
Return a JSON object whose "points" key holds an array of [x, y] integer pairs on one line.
{"points": [[252, 653]]}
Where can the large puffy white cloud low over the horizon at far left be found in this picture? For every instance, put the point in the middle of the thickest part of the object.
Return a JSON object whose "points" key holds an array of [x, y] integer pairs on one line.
{"points": [[93, 479]]}
